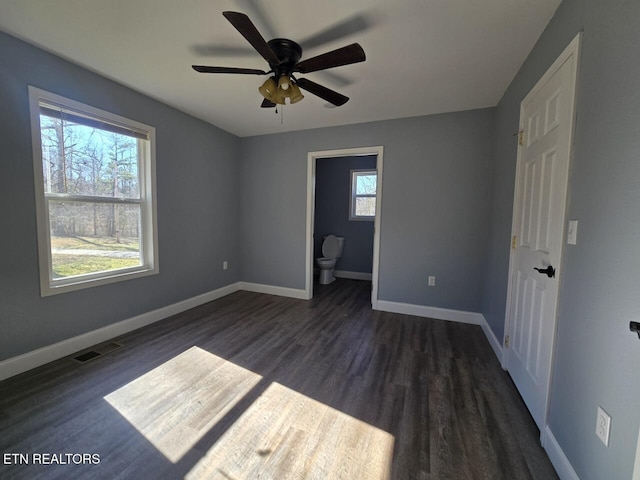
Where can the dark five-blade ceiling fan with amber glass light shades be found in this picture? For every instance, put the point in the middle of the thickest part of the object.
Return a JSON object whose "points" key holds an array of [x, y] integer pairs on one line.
{"points": [[283, 56]]}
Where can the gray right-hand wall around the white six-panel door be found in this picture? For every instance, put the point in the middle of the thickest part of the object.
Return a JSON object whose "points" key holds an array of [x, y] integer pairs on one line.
{"points": [[596, 357]]}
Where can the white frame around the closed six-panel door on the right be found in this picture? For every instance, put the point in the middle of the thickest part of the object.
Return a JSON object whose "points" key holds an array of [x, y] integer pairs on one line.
{"points": [[572, 49]]}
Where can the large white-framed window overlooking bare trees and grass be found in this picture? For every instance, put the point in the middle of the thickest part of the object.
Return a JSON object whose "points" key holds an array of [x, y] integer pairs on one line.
{"points": [[95, 181]]}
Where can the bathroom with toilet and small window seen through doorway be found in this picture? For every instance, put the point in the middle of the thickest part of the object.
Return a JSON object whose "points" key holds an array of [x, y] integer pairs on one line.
{"points": [[337, 213]]}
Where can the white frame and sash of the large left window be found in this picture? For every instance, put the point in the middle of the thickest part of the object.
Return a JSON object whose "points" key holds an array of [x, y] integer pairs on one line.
{"points": [[147, 186]]}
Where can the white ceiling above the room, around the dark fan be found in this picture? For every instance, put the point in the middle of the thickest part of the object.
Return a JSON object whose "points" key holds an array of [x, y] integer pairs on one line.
{"points": [[423, 56]]}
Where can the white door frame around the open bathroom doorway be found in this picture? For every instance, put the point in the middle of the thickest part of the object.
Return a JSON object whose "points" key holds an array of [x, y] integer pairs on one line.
{"points": [[311, 197]]}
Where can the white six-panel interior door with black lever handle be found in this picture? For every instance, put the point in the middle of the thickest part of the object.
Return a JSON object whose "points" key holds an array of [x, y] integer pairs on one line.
{"points": [[546, 122]]}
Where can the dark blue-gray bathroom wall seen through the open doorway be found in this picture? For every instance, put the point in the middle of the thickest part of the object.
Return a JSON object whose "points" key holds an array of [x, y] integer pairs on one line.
{"points": [[333, 200]]}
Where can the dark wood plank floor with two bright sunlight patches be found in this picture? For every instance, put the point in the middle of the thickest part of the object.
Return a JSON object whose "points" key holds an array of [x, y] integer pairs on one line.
{"points": [[256, 386]]}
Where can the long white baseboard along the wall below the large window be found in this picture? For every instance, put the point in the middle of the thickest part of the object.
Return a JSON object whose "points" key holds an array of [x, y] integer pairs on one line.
{"points": [[22, 363]]}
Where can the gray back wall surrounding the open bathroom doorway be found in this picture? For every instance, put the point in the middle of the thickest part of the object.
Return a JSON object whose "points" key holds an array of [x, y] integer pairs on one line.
{"points": [[435, 193]]}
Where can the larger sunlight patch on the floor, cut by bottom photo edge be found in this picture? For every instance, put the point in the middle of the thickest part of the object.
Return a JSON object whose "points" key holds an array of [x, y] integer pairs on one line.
{"points": [[285, 434]]}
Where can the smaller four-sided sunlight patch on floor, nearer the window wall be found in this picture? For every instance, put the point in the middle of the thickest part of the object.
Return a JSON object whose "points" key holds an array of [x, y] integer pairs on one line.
{"points": [[177, 403]]}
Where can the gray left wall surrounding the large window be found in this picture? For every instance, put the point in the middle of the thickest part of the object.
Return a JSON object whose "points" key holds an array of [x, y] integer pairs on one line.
{"points": [[197, 179]]}
